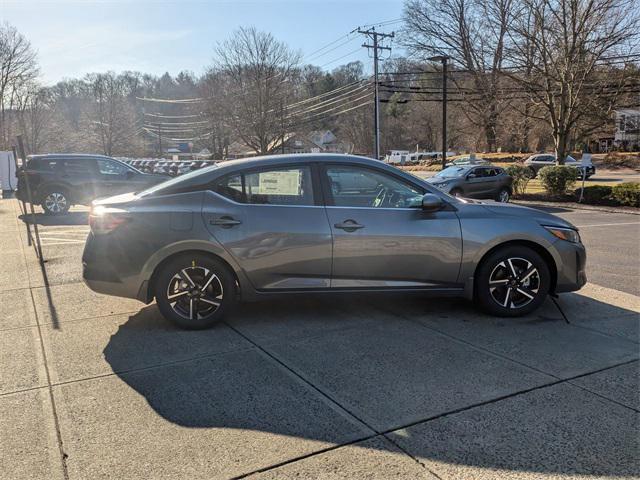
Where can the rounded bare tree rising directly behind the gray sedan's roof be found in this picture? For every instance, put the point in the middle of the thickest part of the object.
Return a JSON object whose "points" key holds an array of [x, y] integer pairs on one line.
{"points": [[258, 68]]}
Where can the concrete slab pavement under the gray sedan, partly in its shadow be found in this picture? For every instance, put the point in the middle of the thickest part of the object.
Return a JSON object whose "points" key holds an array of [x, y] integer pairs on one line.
{"points": [[348, 387]]}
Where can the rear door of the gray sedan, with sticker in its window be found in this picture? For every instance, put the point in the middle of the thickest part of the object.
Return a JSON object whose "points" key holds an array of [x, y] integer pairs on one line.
{"points": [[277, 246]]}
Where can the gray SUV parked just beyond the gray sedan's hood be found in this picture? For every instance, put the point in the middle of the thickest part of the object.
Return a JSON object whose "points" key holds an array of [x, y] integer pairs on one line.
{"points": [[474, 182]]}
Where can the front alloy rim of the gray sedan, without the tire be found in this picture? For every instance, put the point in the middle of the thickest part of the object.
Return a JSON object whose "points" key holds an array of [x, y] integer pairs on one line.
{"points": [[514, 283]]}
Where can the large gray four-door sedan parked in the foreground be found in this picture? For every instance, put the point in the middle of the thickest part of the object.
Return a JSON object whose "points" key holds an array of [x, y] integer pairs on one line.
{"points": [[293, 224]]}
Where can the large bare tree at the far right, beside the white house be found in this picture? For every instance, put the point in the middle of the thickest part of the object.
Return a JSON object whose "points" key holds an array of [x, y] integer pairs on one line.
{"points": [[561, 52]]}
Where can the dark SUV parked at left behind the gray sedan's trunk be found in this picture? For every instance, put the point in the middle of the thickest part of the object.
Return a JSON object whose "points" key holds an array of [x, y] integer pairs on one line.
{"points": [[58, 181]]}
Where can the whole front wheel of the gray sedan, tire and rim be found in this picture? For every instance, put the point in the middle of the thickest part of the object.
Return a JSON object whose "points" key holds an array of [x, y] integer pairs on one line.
{"points": [[494, 299]]}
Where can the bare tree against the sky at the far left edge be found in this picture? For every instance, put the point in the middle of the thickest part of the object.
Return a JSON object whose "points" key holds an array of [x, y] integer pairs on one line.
{"points": [[18, 66]]}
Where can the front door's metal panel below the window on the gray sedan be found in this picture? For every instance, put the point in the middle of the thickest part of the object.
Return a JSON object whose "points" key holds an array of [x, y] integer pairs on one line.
{"points": [[395, 248]]}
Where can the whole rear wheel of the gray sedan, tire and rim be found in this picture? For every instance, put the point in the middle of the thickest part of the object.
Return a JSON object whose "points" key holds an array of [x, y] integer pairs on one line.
{"points": [[194, 310]]}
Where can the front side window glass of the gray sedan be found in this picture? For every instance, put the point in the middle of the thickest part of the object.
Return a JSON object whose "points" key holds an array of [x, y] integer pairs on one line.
{"points": [[363, 187]]}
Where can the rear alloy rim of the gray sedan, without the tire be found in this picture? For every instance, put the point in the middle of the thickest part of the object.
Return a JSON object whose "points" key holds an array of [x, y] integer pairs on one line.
{"points": [[195, 293]]}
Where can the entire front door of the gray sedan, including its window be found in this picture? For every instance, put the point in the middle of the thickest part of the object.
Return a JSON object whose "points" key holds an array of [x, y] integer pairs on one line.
{"points": [[379, 242]]}
